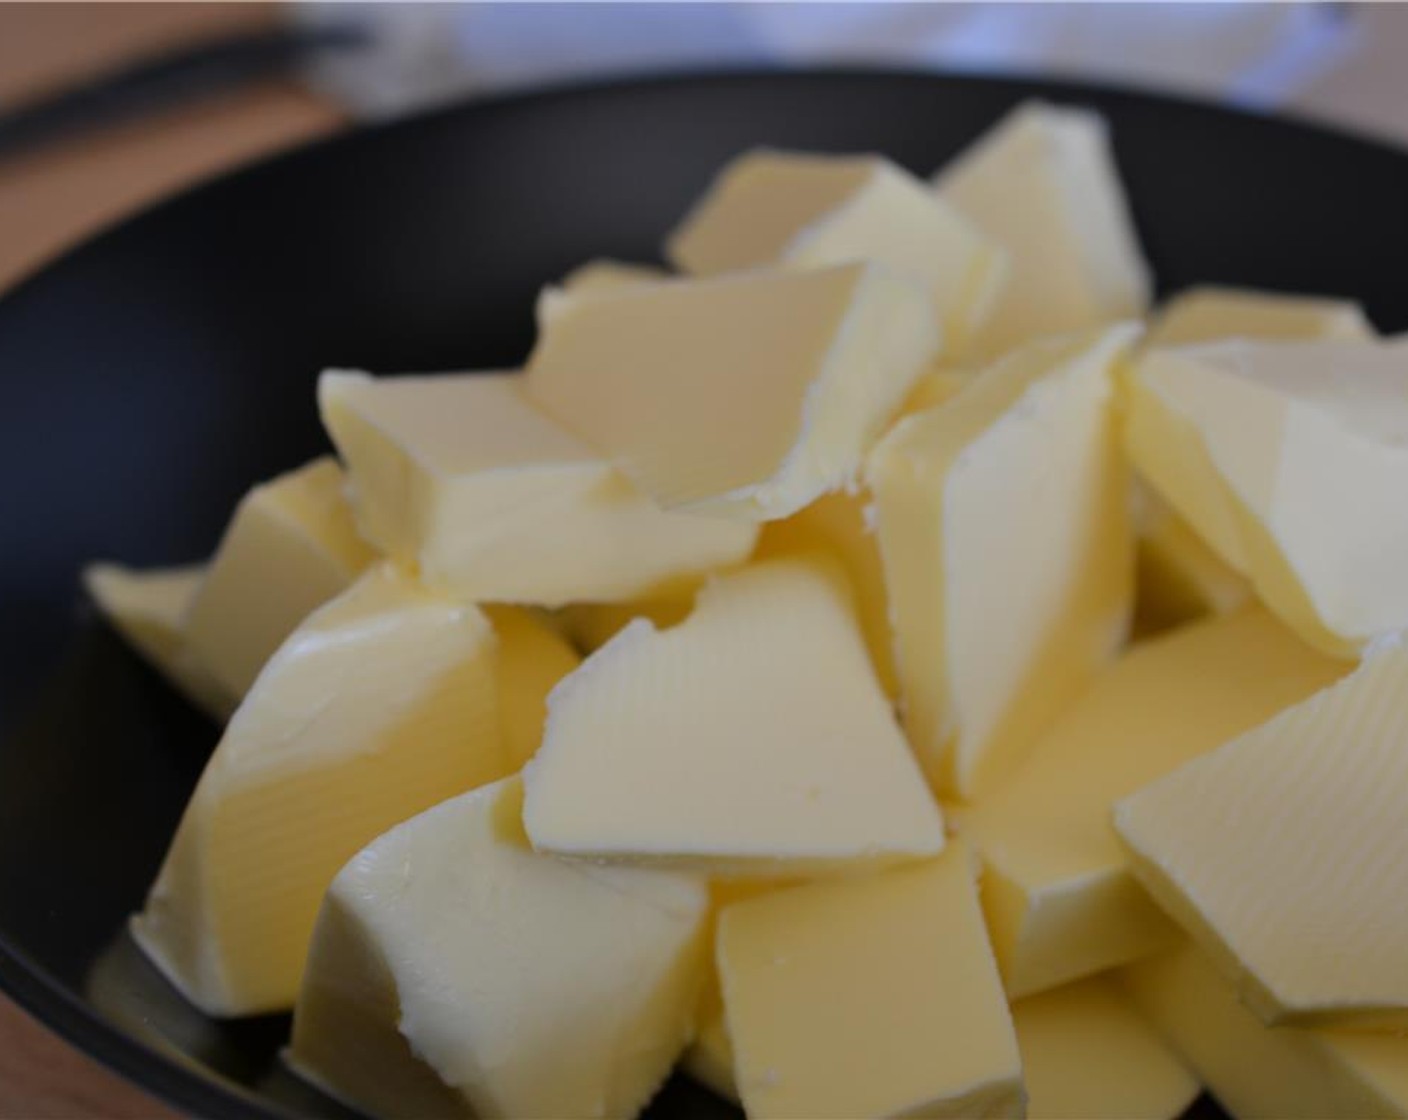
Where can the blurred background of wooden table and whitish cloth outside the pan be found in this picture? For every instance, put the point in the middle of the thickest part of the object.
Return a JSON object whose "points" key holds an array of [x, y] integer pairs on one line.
{"points": [[108, 108]]}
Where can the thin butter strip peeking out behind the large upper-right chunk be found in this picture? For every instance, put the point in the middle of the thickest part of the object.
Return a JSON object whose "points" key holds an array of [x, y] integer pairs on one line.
{"points": [[1209, 313]]}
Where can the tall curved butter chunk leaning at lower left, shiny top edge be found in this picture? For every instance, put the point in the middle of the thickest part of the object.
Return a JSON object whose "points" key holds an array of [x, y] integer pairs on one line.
{"points": [[381, 705]]}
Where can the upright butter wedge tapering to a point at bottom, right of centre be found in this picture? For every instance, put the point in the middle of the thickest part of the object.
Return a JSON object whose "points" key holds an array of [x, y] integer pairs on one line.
{"points": [[1005, 530]]}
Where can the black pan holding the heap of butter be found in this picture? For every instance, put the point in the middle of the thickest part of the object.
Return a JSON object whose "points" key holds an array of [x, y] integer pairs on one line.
{"points": [[153, 375]]}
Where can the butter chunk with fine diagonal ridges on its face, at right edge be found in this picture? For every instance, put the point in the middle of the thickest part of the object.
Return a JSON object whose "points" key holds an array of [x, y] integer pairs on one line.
{"points": [[1285, 853]]}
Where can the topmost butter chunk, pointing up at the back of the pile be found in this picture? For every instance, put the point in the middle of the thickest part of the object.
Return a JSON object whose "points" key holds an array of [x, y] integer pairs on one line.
{"points": [[1043, 184]]}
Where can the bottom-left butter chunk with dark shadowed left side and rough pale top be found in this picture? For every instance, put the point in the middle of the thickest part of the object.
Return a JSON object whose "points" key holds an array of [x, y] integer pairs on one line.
{"points": [[455, 973]]}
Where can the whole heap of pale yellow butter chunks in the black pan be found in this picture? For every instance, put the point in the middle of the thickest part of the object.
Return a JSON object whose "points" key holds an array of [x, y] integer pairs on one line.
{"points": [[878, 667]]}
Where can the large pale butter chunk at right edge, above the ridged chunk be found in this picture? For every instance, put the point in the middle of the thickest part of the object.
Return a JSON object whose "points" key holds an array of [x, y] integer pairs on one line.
{"points": [[1292, 461]]}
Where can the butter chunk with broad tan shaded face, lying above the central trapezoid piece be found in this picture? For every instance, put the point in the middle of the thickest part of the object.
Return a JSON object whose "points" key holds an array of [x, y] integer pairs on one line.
{"points": [[746, 395]]}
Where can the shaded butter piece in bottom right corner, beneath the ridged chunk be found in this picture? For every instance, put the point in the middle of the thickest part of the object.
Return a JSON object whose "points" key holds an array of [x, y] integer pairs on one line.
{"points": [[1262, 1073]]}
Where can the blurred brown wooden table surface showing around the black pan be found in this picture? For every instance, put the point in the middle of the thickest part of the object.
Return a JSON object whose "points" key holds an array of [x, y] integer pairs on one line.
{"points": [[49, 202]]}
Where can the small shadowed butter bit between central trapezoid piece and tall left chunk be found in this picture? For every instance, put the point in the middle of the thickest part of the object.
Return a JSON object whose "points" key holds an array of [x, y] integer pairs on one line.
{"points": [[533, 659]]}
